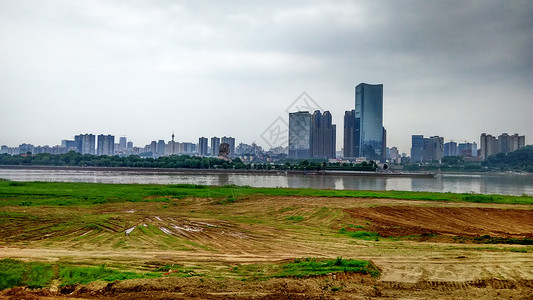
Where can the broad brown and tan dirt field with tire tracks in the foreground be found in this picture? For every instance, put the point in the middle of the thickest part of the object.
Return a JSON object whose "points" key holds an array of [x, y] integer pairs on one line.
{"points": [[426, 263]]}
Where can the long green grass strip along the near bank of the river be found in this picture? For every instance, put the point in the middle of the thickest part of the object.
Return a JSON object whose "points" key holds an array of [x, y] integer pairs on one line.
{"points": [[74, 194]]}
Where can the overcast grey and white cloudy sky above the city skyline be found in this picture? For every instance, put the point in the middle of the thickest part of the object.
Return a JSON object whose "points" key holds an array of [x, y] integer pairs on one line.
{"points": [[144, 69]]}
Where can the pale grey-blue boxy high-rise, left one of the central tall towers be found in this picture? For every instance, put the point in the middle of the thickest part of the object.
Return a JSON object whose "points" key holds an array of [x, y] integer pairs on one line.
{"points": [[300, 135]]}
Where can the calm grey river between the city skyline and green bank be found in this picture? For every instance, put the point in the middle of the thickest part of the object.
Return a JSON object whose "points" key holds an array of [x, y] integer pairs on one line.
{"points": [[507, 184]]}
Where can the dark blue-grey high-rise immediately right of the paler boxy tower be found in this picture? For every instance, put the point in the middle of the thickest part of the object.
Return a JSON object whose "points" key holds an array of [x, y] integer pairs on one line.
{"points": [[323, 135]]}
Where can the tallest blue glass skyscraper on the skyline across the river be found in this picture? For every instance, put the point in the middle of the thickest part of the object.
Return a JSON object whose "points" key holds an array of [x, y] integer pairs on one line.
{"points": [[370, 139]]}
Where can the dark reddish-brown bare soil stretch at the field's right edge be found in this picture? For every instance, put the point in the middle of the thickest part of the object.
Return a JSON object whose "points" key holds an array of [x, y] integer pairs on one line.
{"points": [[464, 221]]}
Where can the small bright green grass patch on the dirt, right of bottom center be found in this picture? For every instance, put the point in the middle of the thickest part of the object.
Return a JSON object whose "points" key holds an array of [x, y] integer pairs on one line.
{"points": [[310, 267]]}
